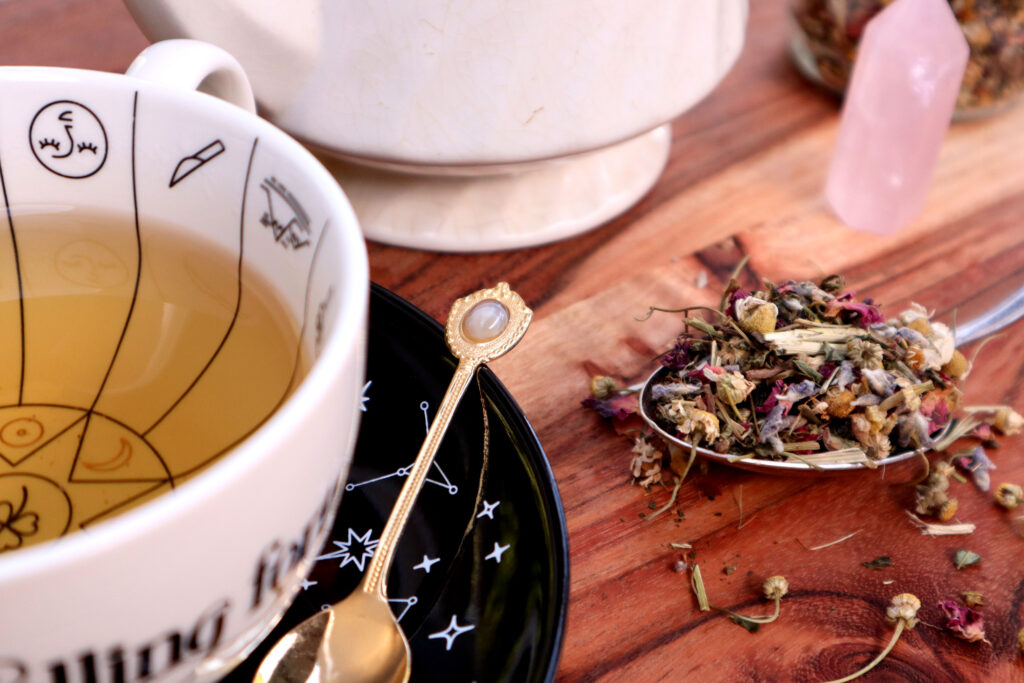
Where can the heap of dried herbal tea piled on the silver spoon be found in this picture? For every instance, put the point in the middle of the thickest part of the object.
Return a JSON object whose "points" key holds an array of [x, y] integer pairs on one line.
{"points": [[804, 372]]}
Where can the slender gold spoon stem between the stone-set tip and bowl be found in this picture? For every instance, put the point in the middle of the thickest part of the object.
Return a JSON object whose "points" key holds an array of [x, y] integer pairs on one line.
{"points": [[375, 579]]}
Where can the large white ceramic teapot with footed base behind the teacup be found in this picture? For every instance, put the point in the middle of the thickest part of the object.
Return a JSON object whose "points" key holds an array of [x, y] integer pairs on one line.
{"points": [[542, 119]]}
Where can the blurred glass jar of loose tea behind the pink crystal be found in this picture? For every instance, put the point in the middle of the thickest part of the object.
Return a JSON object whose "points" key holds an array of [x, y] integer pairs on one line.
{"points": [[826, 34]]}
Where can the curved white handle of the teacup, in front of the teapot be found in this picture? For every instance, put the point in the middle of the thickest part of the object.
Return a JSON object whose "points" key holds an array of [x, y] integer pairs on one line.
{"points": [[194, 65]]}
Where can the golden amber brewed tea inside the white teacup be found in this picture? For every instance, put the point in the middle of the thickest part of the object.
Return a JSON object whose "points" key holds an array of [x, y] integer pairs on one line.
{"points": [[131, 359]]}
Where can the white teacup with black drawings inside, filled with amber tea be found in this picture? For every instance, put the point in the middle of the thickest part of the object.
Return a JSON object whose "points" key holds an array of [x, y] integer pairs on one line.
{"points": [[183, 586]]}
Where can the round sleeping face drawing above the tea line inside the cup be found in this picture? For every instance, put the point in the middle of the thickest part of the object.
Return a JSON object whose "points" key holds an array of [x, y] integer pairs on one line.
{"points": [[69, 140]]}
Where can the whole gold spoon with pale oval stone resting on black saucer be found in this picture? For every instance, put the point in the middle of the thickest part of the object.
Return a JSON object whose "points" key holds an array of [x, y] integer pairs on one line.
{"points": [[359, 638]]}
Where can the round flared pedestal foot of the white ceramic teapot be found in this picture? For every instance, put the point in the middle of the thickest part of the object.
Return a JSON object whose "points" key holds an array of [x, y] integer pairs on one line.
{"points": [[528, 205]]}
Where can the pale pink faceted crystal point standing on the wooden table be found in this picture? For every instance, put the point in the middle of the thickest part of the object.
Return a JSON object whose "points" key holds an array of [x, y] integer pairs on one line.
{"points": [[899, 106]]}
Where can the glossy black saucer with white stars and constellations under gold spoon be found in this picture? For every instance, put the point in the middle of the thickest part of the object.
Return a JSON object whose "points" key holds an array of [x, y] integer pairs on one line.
{"points": [[481, 578]]}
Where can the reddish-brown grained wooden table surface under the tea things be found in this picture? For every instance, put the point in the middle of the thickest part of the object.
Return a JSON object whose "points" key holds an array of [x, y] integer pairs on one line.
{"points": [[745, 178]]}
